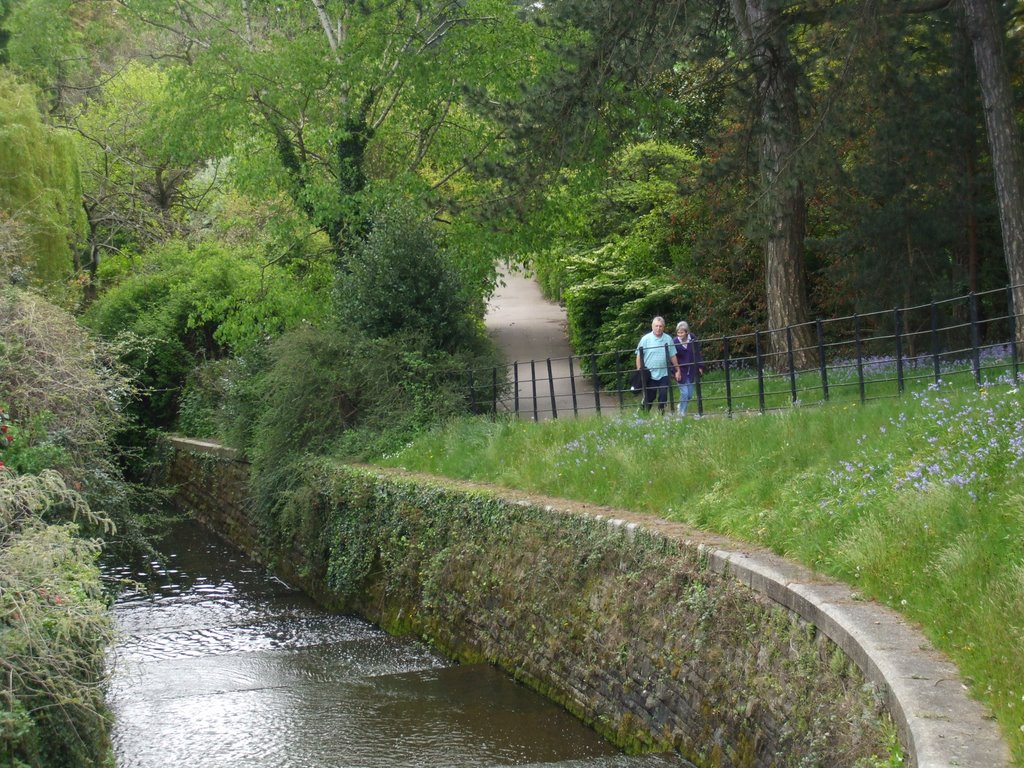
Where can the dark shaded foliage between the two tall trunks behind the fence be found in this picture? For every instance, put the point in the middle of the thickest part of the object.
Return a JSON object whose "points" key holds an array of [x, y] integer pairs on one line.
{"points": [[900, 218]]}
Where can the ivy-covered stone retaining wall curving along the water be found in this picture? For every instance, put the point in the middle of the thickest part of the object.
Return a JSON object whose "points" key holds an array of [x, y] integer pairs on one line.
{"points": [[629, 630]]}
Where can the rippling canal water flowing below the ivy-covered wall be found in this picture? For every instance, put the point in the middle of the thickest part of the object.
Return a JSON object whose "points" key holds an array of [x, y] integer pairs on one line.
{"points": [[220, 665]]}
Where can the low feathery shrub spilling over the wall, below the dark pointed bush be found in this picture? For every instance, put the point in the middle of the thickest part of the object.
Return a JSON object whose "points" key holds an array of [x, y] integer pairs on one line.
{"points": [[332, 392]]}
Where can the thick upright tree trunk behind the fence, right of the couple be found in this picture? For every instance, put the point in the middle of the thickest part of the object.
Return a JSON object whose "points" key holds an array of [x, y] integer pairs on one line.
{"points": [[764, 32]]}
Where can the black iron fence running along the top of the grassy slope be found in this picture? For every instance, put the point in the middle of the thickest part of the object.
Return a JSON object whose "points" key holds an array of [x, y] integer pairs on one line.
{"points": [[861, 357]]}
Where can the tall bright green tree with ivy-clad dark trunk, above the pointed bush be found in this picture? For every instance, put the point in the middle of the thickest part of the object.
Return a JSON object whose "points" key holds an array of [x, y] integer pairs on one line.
{"points": [[326, 100]]}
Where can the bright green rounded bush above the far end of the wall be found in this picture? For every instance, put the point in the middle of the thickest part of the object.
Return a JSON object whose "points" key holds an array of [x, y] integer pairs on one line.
{"points": [[189, 304]]}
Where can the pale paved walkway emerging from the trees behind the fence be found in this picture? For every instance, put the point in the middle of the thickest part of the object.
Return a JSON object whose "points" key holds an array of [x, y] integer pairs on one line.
{"points": [[532, 332]]}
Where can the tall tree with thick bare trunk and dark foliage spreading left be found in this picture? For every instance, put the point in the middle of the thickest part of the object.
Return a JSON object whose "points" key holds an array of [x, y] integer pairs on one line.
{"points": [[620, 54]]}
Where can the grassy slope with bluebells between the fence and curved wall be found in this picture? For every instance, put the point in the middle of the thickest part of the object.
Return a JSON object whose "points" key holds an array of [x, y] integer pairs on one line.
{"points": [[917, 502]]}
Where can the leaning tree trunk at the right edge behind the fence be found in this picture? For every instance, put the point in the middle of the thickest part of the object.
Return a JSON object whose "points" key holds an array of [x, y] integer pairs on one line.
{"points": [[1004, 138]]}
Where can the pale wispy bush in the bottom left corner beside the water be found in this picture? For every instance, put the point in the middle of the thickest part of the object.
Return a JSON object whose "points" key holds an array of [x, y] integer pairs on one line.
{"points": [[54, 629]]}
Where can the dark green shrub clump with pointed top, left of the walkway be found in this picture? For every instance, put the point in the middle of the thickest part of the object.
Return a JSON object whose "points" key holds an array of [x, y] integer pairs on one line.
{"points": [[393, 365]]}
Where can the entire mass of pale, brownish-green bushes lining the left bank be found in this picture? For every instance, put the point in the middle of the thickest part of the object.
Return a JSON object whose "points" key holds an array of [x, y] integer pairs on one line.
{"points": [[61, 398]]}
